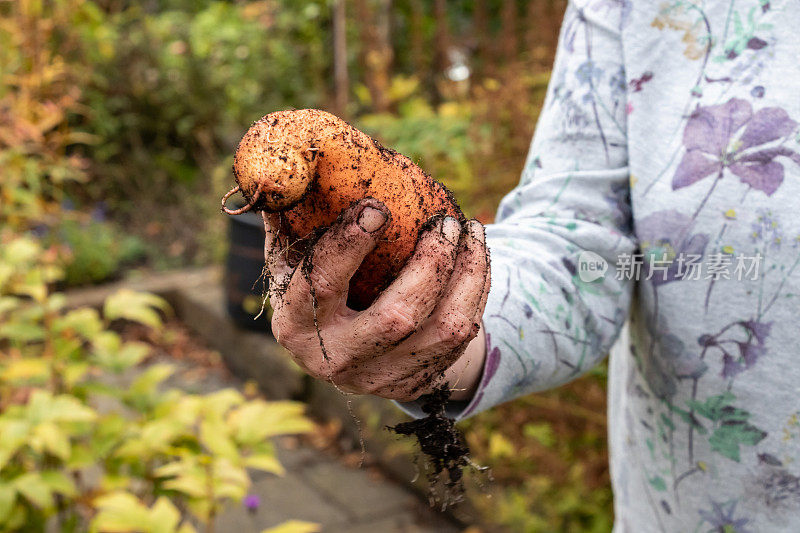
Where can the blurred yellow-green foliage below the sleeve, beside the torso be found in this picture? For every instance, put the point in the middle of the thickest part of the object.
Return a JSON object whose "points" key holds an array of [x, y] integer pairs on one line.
{"points": [[548, 457]]}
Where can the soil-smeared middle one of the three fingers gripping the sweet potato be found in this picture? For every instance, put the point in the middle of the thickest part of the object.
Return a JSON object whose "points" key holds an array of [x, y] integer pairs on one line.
{"points": [[409, 300]]}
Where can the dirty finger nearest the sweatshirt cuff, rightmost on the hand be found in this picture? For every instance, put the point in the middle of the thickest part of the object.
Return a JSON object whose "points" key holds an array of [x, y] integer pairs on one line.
{"points": [[457, 317]]}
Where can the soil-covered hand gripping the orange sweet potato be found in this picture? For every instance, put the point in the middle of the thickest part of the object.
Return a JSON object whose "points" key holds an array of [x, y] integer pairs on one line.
{"points": [[413, 337]]}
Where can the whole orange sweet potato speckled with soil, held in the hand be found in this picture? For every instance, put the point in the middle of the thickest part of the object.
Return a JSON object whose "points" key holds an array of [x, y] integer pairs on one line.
{"points": [[309, 165]]}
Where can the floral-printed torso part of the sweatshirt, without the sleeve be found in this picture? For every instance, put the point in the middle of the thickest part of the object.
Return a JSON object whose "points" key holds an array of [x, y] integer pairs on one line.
{"points": [[710, 417]]}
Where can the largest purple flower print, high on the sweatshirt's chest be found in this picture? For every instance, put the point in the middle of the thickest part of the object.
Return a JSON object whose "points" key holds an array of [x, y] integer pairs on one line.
{"points": [[730, 136]]}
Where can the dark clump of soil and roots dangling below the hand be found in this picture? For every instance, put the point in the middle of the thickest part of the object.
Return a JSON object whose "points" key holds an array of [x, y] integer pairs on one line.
{"points": [[441, 443]]}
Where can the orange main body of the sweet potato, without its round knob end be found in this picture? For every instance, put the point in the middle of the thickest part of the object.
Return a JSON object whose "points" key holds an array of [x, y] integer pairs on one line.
{"points": [[351, 166]]}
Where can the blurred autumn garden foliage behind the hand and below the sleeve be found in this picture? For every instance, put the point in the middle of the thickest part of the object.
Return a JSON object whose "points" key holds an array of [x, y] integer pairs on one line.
{"points": [[119, 118]]}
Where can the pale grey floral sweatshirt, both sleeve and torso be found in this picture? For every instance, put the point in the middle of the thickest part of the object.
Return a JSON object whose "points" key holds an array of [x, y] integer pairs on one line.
{"points": [[663, 184]]}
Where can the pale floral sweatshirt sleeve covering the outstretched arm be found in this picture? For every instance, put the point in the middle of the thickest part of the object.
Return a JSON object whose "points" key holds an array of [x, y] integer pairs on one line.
{"points": [[552, 314]]}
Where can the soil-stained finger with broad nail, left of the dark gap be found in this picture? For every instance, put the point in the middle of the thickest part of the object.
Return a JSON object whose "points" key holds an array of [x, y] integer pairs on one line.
{"points": [[319, 285]]}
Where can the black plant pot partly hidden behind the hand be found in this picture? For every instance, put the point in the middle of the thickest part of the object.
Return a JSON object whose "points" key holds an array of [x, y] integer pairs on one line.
{"points": [[245, 286]]}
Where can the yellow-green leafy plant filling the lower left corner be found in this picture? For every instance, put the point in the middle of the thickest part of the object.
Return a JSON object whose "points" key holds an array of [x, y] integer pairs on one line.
{"points": [[94, 441]]}
